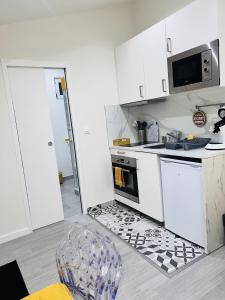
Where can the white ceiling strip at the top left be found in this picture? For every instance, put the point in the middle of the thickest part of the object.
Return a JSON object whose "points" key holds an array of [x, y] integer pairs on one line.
{"points": [[20, 10]]}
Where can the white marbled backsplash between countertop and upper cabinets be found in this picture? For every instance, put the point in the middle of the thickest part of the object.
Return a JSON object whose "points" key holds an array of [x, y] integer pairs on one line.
{"points": [[173, 113]]}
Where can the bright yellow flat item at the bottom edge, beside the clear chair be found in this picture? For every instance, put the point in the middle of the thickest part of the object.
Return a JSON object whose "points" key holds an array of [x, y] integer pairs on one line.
{"points": [[54, 292]]}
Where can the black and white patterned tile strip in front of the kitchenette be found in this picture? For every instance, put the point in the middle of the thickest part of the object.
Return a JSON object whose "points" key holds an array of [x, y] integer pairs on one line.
{"points": [[168, 251]]}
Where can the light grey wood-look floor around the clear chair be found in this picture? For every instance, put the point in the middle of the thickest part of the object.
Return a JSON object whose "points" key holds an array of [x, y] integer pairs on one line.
{"points": [[204, 280]]}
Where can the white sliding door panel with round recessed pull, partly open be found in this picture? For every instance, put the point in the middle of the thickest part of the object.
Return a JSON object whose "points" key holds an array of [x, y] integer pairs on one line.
{"points": [[30, 101]]}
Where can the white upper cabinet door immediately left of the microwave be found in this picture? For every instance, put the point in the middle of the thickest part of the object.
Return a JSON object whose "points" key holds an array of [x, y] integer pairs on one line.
{"points": [[155, 61]]}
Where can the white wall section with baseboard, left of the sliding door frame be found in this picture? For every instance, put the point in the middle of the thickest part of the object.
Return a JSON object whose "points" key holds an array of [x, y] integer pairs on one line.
{"points": [[13, 220]]}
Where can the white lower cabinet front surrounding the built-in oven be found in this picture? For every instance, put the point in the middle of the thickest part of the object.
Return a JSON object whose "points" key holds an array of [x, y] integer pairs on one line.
{"points": [[149, 184]]}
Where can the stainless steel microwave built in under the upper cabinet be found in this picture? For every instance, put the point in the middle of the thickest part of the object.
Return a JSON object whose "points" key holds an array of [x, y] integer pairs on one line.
{"points": [[194, 69]]}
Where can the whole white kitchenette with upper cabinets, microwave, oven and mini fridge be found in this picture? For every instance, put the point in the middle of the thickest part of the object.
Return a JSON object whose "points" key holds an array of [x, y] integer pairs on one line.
{"points": [[175, 177]]}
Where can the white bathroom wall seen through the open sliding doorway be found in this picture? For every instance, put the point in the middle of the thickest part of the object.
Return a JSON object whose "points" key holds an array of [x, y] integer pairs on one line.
{"points": [[59, 123]]}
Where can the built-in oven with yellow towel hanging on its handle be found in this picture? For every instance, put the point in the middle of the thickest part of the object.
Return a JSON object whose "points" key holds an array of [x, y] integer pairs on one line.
{"points": [[126, 167]]}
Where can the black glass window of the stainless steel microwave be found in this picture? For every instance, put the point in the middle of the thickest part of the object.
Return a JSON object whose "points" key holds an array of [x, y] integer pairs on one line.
{"points": [[187, 70]]}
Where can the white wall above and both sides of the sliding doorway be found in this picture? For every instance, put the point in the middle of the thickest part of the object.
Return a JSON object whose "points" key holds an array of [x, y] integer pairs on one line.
{"points": [[86, 41]]}
